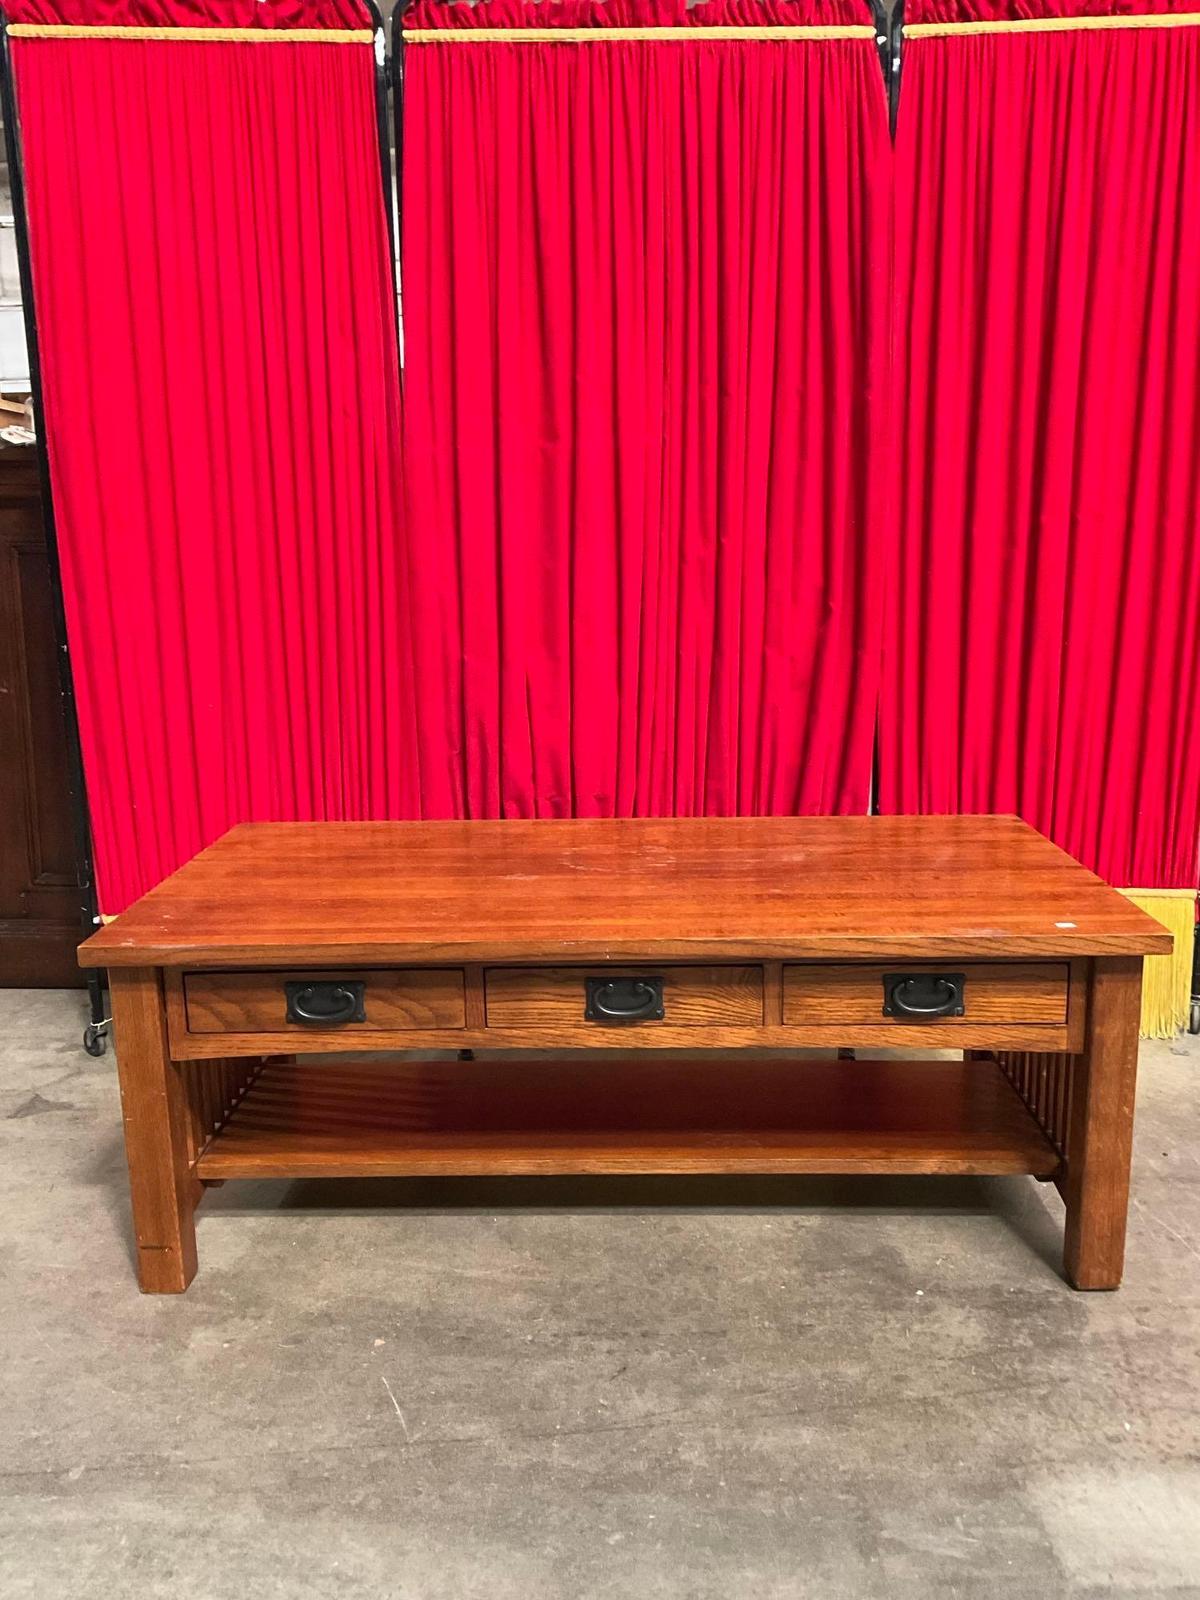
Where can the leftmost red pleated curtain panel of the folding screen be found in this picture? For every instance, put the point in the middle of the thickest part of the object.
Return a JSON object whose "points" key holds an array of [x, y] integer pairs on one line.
{"points": [[217, 322]]}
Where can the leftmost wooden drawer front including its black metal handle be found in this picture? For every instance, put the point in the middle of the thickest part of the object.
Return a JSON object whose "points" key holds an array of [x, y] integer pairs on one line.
{"points": [[298, 1002]]}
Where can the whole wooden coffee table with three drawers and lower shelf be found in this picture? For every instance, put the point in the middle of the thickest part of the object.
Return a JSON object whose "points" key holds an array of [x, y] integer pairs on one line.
{"points": [[639, 938]]}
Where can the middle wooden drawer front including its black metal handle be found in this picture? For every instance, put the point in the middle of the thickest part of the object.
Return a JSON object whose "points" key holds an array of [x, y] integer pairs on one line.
{"points": [[625, 996]]}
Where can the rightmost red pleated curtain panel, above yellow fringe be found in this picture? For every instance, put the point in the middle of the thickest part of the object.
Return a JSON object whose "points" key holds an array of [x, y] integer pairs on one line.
{"points": [[1042, 646]]}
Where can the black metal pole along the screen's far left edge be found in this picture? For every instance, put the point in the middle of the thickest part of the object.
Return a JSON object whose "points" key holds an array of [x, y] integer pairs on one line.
{"points": [[76, 783]]}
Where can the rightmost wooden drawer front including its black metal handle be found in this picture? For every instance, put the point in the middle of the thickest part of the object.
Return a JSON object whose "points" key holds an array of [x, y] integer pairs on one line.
{"points": [[926, 993]]}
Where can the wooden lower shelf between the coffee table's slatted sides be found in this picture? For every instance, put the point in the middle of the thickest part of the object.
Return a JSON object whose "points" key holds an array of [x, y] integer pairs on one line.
{"points": [[638, 1116]]}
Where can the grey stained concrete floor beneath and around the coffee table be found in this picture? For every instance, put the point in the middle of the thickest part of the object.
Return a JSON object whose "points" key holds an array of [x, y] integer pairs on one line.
{"points": [[660, 1390]]}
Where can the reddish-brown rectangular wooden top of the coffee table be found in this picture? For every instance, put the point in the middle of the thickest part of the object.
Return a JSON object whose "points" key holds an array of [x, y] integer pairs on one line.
{"points": [[396, 894]]}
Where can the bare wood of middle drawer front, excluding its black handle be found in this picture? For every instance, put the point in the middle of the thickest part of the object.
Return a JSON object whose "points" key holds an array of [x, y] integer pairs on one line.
{"points": [[534, 998]]}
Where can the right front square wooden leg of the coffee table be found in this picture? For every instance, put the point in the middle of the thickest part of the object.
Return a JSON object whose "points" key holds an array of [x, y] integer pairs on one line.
{"points": [[1100, 1138]]}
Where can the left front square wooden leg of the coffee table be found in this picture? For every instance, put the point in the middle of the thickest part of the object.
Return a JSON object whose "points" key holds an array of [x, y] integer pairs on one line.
{"points": [[154, 1106]]}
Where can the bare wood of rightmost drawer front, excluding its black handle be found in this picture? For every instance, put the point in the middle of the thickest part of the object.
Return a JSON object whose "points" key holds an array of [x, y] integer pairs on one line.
{"points": [[994, 993]]}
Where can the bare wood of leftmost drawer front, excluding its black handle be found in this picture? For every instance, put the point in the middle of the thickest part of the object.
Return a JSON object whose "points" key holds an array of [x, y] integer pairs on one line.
{"points": [[396, 1001]]}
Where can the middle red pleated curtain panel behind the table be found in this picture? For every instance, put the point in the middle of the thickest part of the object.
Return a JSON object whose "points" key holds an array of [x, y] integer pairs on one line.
{"points": [[642, 290]]}
